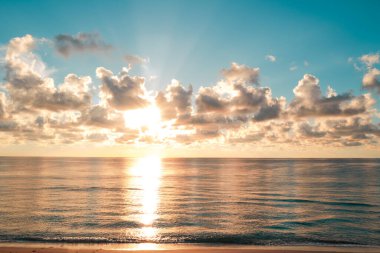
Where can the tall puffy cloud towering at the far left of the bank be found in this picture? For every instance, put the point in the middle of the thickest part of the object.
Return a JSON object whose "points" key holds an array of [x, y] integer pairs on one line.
{"points": [[30, 88]]}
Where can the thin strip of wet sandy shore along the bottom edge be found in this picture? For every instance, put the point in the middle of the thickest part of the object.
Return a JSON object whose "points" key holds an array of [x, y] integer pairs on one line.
{"points": [[145, 248]]}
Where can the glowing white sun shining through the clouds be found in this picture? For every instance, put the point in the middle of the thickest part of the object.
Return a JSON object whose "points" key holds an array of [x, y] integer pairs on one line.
{"points": [[144, 118]]}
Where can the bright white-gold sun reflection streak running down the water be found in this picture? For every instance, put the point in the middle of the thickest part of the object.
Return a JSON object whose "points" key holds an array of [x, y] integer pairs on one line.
{"points": [[146, 173]]}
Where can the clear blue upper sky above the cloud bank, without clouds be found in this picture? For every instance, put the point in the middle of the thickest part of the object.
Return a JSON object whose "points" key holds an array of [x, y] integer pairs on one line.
{"points": [[193, 40]]}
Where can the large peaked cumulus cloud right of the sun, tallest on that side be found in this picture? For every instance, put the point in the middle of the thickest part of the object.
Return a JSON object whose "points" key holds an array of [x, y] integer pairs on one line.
{"points": [[237, 97]]}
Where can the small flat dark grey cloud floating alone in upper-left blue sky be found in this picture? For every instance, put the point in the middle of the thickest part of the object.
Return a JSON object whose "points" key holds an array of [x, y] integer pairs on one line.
{"points": [[66, 45]]}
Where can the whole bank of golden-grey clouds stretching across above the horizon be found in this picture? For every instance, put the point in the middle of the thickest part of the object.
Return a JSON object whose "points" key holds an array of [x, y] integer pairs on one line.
{"points": [[235, 110]]}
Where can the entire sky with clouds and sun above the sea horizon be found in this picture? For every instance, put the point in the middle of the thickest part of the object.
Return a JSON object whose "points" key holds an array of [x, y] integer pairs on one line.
{"points": [[190, 78]]}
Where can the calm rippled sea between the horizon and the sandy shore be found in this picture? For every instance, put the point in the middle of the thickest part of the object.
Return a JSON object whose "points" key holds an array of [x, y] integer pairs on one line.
{"points": [[235, 201]]}
